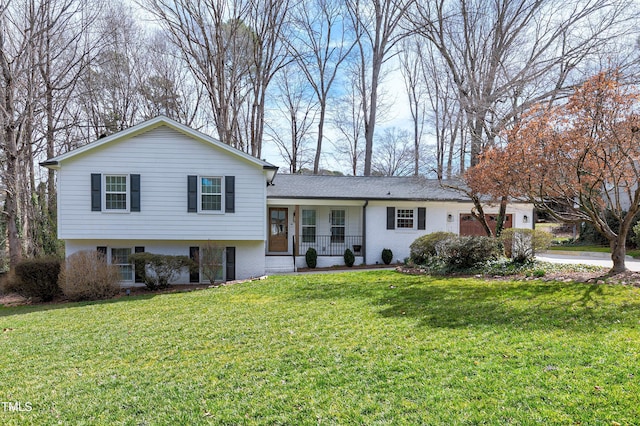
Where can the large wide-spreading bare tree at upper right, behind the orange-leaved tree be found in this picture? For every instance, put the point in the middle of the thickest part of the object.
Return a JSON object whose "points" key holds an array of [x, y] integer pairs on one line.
{"points": [[505, 56]]}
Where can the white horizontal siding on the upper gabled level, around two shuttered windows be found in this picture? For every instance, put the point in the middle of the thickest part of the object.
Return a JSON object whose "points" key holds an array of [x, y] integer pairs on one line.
{"points": [[163, 158]]}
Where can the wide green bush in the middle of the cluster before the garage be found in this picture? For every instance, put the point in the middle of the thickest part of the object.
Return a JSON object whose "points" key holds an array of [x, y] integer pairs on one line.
{"points": [[462, 253]]}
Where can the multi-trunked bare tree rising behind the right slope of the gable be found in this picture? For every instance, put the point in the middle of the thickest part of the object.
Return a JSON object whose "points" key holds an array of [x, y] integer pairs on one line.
{"points": [[233, 48]]}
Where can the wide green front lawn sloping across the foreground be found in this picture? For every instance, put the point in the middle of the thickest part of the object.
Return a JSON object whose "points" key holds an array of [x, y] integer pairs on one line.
{"points": [[351, 348]]}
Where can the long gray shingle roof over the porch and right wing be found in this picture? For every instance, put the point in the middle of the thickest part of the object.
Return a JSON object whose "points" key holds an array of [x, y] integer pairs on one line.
{"points": [[362, 188]]}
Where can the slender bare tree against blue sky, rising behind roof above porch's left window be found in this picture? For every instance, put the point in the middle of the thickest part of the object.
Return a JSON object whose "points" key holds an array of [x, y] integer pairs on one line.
{"points": [[320, 52]]}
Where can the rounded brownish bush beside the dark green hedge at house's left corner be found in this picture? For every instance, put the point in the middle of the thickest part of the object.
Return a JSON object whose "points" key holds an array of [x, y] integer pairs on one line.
{"points": [[87, 276]]}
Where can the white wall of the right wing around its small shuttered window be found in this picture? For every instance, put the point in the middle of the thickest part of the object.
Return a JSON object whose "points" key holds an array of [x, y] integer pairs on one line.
{"points": [[399, 240]]}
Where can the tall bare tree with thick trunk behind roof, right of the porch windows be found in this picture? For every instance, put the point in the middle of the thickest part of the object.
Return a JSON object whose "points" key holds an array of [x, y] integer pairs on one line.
{"points": [[377, 27]]}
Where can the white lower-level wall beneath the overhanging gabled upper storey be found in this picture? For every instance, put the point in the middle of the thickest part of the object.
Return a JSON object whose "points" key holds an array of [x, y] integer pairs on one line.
{"points": [[250, 261]]}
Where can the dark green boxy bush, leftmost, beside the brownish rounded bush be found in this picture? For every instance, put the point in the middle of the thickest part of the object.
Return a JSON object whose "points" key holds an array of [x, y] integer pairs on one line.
{"points": [[37, 278]]}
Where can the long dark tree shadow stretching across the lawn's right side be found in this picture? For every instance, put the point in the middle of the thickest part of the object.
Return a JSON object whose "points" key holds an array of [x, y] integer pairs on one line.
{"points": [[461, 302]]}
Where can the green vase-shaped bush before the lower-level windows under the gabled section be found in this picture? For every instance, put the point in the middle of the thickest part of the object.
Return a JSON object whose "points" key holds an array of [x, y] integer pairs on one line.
{"points": [[159, 270]]}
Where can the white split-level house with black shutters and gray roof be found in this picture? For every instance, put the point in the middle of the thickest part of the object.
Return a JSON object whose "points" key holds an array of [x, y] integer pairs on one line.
{"points": [[165, 188]]}
